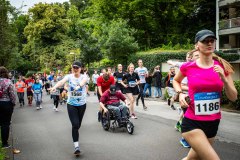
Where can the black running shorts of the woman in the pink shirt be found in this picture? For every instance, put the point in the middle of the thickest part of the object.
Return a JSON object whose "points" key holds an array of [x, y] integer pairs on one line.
{"points": [[210, 128]]}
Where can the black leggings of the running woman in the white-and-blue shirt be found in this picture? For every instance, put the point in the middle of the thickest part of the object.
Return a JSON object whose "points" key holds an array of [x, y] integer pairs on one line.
{"points": [[76, 114]]}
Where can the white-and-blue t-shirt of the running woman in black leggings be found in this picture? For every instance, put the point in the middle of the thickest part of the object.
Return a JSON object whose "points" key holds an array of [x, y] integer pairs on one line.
{"points": [[76, 94]]}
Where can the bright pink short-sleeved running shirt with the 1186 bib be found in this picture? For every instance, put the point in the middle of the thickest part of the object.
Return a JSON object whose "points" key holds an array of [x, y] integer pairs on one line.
{"points": [[205, 88]]}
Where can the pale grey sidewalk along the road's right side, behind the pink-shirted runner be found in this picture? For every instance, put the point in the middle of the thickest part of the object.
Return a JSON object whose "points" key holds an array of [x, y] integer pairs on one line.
{"points": [[229, 130]]}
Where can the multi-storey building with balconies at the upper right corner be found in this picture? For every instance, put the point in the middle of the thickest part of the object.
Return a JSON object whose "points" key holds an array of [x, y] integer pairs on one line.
{"points": [[228, 30]]}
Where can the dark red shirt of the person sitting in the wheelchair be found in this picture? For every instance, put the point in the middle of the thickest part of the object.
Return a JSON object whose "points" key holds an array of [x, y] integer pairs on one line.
{"points": [[108, 98]]}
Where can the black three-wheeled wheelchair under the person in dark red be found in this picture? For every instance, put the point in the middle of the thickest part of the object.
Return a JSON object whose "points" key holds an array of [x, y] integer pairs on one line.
{"points": [[109, 120]]}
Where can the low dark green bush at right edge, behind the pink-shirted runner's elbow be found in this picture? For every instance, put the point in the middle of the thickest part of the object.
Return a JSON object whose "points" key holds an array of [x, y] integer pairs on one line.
{"points": [[225, 100]]}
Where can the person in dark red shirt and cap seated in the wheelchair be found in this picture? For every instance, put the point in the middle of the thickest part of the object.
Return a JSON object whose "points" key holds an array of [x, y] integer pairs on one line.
{"points": [[111, 100]]}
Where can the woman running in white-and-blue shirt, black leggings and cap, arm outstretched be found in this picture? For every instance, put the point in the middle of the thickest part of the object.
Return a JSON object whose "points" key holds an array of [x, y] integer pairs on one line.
{"points": [[76, 103]]}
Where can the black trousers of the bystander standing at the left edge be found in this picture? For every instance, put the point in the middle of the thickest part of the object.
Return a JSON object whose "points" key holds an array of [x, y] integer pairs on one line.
{"points": [[6, 110]]}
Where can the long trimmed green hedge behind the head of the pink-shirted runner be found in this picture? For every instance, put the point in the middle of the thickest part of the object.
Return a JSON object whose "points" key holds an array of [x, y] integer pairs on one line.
{"points": [[152, 59]]}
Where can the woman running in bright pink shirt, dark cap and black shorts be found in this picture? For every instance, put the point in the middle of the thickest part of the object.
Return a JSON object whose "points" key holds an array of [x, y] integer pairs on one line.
{"points": [[206, 79]]}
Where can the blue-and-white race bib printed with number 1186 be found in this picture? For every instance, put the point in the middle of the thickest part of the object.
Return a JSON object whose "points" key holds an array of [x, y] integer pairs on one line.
{"points": [[207, 103]]}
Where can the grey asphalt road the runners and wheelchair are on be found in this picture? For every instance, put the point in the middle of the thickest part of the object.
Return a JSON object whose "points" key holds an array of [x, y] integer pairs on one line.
{"points": [[46, 135]]}
